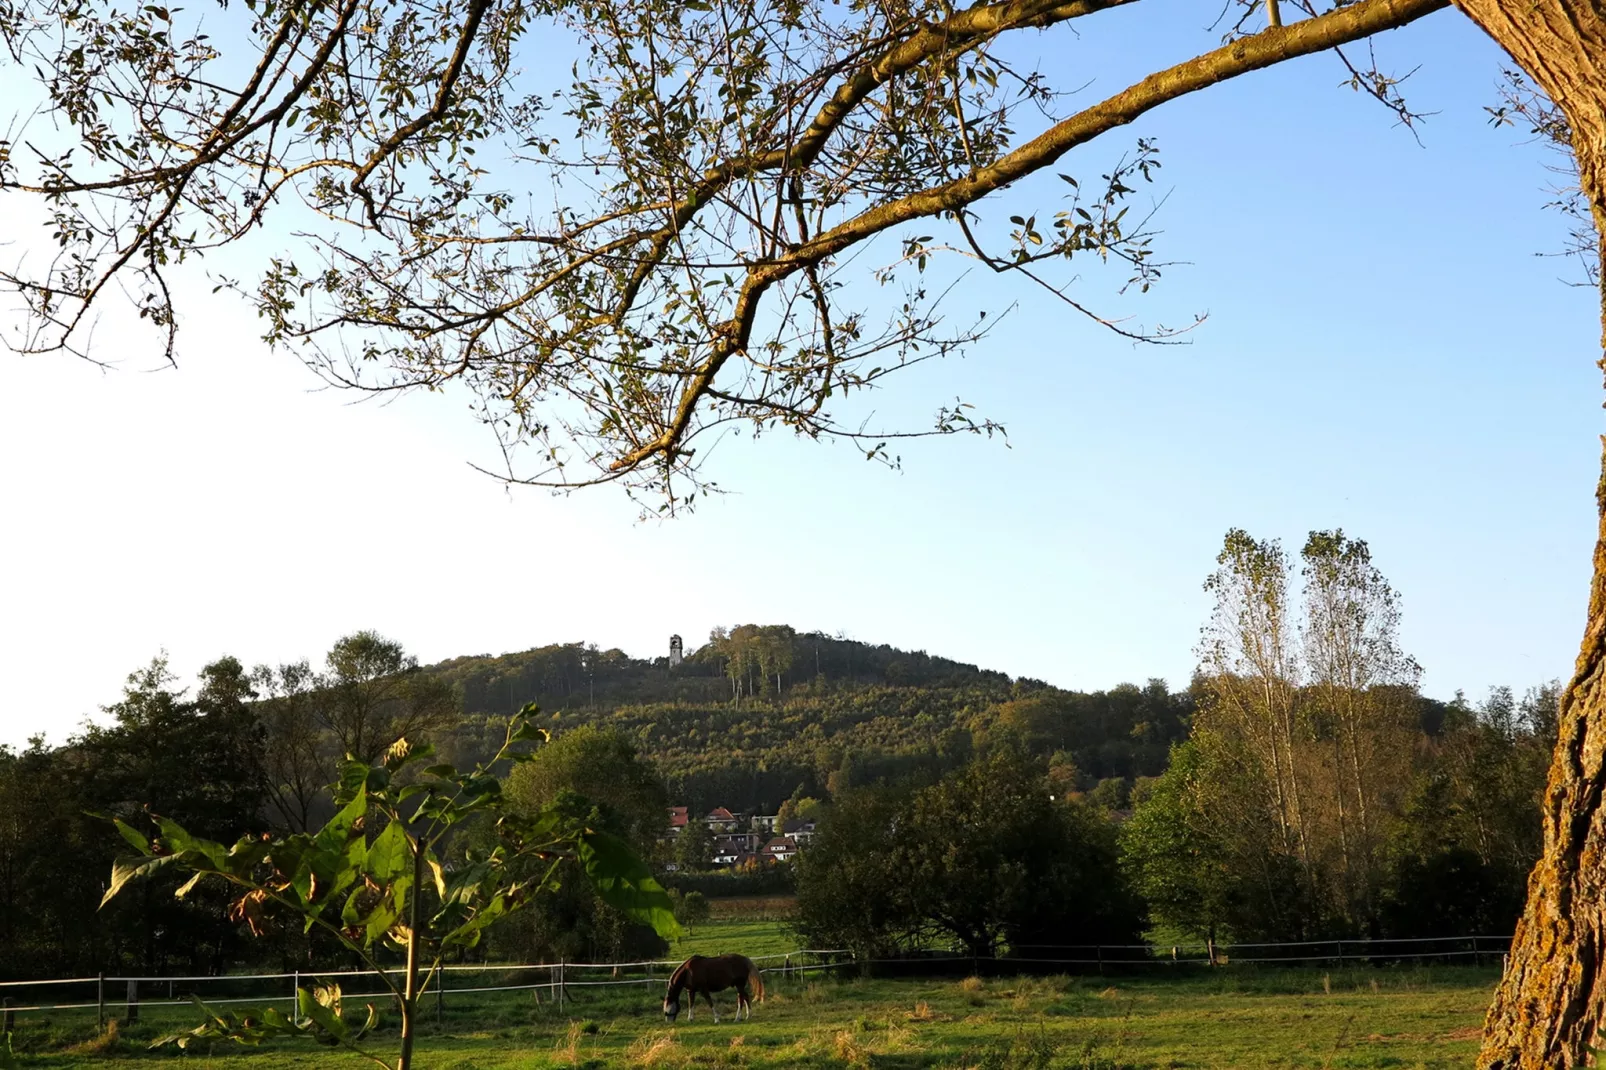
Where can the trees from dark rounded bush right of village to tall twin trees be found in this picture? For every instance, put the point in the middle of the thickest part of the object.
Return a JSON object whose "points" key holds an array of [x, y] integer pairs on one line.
{"points": [[1316, 796]]}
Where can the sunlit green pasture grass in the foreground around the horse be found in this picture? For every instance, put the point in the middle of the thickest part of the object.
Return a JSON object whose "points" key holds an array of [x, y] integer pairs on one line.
{"points": [[1239, 1018]]}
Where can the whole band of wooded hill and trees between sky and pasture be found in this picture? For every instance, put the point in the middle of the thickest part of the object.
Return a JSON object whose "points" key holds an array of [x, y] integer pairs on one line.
{"points": [[1315, 796]]}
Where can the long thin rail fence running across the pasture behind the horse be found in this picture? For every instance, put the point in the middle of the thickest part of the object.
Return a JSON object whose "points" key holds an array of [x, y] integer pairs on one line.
{"points": [[558, 979]]}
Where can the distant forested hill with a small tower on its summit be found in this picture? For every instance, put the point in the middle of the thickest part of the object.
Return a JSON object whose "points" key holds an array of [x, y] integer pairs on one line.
{"points": [[762, 714]]}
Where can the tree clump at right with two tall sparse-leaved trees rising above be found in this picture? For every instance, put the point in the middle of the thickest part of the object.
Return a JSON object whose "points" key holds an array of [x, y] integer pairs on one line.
{"points": [[1318, 794]]}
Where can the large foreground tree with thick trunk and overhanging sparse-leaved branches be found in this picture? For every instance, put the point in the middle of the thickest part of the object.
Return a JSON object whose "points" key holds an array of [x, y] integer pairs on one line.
{"points": [[714, 166]]}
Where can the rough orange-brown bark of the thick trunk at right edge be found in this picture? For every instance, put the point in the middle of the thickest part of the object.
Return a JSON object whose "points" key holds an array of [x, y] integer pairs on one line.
{"points": [[1549, 1010]]}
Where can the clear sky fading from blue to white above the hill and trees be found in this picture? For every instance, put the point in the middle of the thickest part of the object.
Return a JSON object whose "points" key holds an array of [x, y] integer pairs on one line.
{"points": [[1384, 353]]}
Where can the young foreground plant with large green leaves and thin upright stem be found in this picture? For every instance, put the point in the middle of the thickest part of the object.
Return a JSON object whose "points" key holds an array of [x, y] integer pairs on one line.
{"points": [[378, 878]]}
